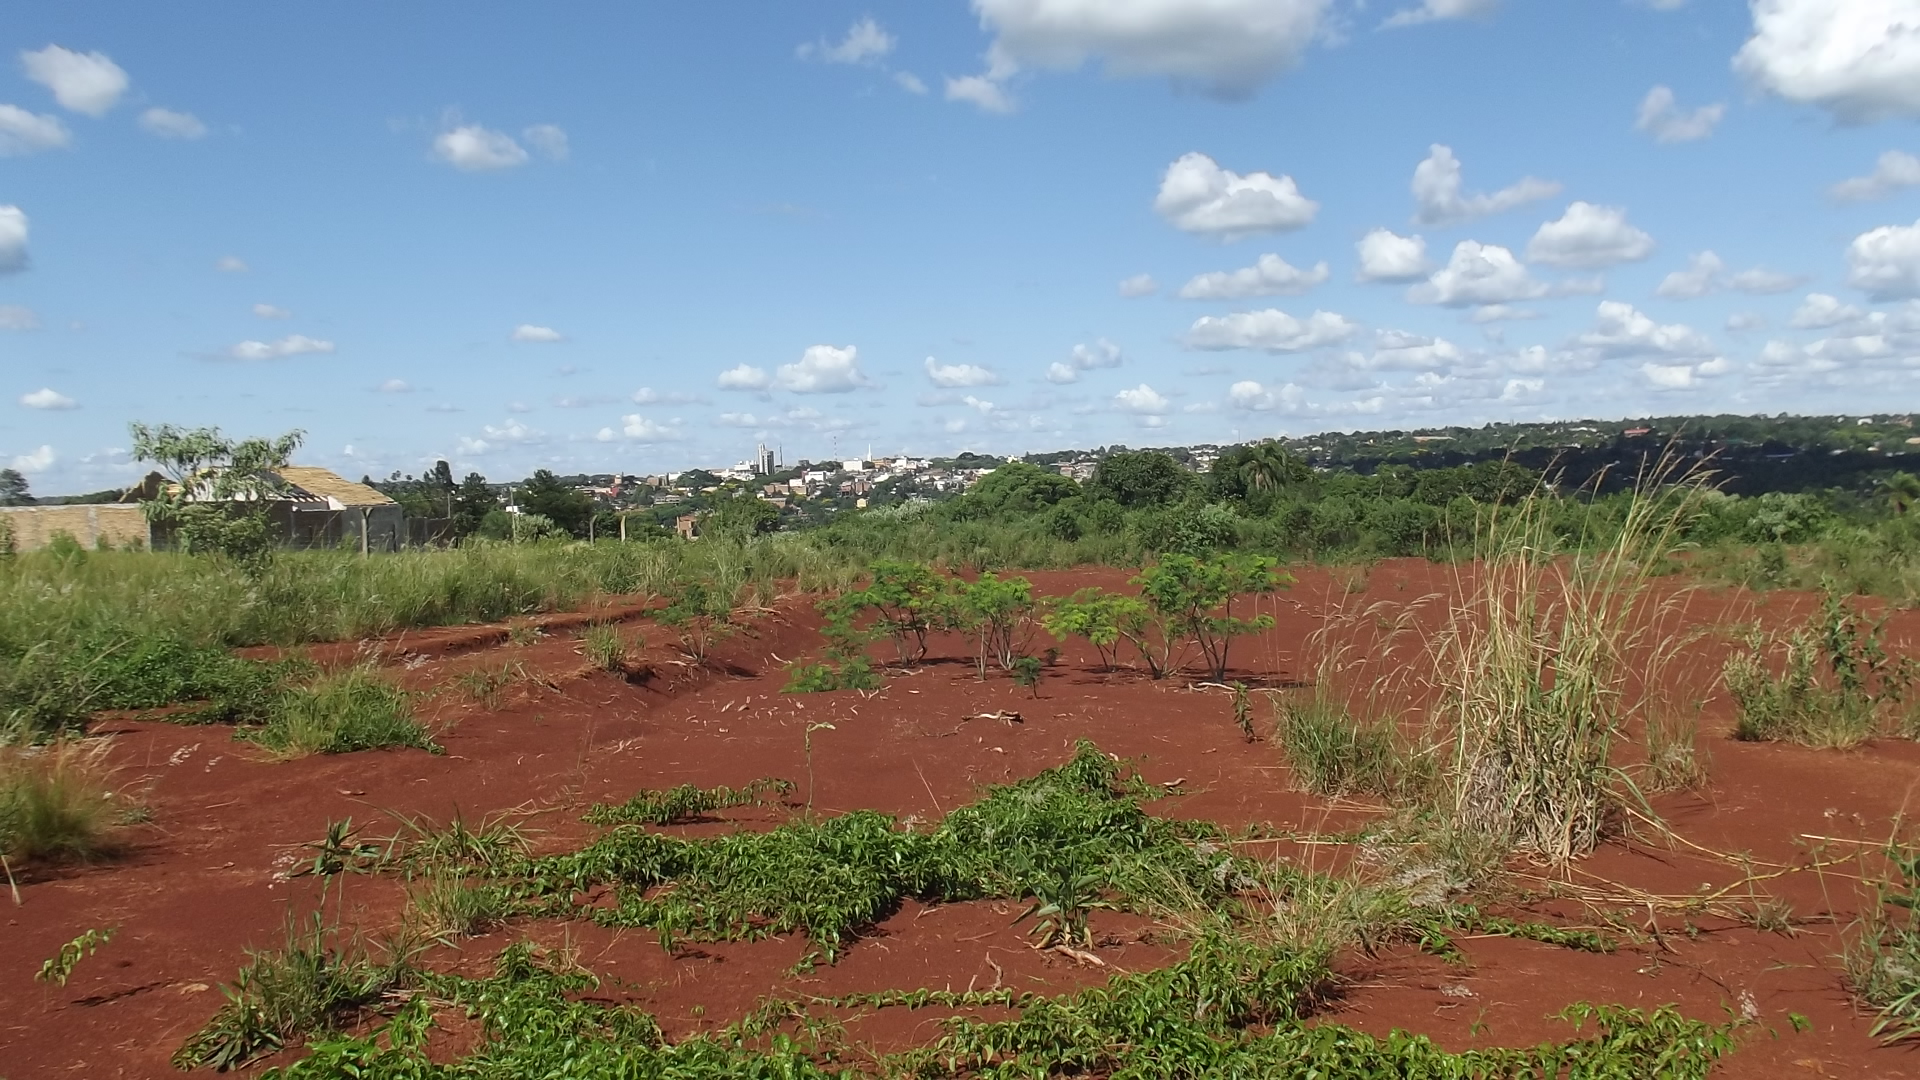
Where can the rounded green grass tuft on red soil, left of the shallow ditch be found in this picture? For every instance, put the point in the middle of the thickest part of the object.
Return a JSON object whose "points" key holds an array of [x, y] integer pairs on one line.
{"points": [[339, 714]]}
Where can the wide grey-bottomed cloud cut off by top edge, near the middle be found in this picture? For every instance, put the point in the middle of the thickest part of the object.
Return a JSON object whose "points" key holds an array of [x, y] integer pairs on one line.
{"points": [[1226, 47]]}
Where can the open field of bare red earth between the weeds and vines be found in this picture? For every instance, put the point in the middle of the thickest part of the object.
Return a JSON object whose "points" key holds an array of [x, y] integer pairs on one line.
{"points": [[1737, 918]]}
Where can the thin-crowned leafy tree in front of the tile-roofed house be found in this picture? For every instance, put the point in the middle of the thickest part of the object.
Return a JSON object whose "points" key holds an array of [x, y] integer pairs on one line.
{"points": [[216, 501]]}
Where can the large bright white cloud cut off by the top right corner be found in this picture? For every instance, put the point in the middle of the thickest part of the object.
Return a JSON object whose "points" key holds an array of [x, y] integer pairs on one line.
{"points": [[1856, 59]]}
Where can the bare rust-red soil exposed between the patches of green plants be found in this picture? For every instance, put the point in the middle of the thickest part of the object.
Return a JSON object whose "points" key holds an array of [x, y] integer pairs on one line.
{"points": [[208, 877]]}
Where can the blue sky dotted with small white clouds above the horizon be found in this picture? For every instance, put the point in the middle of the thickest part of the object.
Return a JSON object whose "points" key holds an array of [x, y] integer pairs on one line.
{"points": [[617, 237]]}
